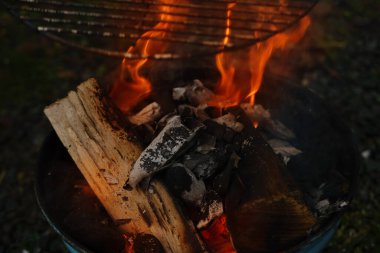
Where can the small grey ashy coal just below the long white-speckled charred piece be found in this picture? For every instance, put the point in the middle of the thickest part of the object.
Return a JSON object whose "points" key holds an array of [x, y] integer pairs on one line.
{"points": [[197, 189]]}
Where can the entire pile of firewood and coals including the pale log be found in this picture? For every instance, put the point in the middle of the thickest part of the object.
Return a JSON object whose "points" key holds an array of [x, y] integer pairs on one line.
{"points": [[180, 175]]}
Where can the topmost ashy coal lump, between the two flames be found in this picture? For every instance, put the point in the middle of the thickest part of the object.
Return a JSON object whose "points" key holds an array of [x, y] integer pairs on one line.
{"points": [[196, 93]]}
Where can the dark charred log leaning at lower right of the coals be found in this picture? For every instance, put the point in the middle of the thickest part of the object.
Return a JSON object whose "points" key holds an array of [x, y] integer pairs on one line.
{"points": [[265, 211]]}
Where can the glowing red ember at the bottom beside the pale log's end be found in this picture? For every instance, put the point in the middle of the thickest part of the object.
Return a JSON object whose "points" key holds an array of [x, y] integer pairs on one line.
{"points": [[217, 236]]}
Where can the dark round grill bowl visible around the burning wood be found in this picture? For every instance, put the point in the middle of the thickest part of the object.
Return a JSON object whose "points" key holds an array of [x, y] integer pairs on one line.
{"points": [[320, 132]]}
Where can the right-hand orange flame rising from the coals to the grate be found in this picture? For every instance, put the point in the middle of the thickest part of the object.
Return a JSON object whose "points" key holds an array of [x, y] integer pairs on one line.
{"points": [[241, 76]]}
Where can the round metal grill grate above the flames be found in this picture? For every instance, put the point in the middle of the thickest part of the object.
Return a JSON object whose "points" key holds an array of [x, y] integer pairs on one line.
{"points": [[187, 28]]}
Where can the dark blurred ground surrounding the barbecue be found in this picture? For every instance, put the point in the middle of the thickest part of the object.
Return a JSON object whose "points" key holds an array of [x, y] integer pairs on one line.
{"points": [[339, 59]]}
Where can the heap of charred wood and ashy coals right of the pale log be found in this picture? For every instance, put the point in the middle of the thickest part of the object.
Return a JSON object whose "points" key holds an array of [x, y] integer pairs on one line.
{"points": [[230, 164]]}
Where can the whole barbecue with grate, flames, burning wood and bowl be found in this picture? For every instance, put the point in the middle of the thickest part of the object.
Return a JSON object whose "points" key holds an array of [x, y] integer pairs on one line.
{"points": [[194, 148]]}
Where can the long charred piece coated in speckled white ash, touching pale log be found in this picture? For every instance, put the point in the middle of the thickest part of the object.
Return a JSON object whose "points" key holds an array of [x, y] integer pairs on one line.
{"points": [[167, 143]]}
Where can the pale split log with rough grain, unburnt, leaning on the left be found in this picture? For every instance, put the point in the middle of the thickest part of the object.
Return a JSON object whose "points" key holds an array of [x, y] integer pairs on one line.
{"points": [[104, 153]]}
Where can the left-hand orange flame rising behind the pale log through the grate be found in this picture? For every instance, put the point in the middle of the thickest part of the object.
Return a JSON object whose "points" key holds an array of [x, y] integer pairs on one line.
{"points": [[132, 87]]}
